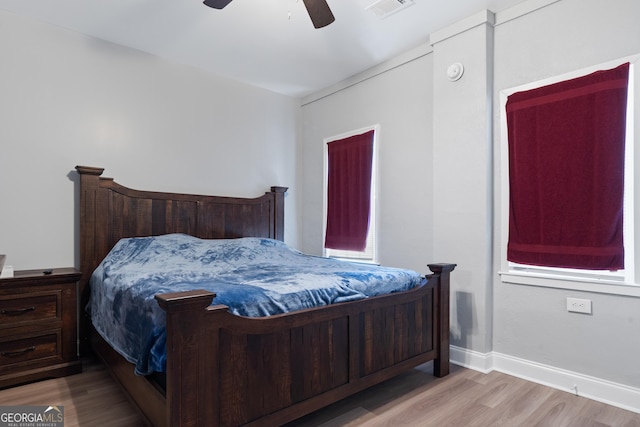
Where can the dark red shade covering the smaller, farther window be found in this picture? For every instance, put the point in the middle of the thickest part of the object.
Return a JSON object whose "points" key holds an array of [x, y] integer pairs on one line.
{"points": [[349, 163]]}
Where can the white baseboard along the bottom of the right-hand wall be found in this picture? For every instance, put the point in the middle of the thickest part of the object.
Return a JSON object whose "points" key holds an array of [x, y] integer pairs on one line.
{"points": [[598, 389]]}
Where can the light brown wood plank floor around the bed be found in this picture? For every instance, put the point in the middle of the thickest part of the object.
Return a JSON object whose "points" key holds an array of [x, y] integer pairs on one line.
{"points": [[465, 398]]}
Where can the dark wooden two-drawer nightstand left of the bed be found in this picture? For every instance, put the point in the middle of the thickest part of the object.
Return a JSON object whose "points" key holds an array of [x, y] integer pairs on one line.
{"points": [[38, 325]]}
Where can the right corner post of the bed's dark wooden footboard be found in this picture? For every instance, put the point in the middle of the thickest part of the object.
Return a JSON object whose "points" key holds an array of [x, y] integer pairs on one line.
{"points": [[441, 363]]}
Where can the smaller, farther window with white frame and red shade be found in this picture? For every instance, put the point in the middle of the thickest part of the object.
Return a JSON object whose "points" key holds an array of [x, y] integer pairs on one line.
{"points": [[350, 195]]}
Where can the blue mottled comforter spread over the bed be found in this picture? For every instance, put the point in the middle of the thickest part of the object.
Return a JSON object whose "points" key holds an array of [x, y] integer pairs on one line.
{"points": [[252, 276]]}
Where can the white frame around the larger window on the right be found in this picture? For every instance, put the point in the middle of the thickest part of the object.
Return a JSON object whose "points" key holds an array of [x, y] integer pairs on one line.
{"points": [[610, 282]]}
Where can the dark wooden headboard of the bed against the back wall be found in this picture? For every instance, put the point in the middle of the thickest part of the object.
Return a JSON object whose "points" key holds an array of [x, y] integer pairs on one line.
{"points": [[110, 212]]}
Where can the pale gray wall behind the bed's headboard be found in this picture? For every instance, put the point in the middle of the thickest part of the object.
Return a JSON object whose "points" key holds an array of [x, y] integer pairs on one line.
{"points": [[67, 99]]}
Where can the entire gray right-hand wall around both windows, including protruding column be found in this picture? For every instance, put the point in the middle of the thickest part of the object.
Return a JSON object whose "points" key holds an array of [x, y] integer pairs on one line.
{"points": [[455, 131]]}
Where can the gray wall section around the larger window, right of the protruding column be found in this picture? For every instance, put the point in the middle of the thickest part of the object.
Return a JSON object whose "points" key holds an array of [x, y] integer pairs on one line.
{"points": [[532, 322]]}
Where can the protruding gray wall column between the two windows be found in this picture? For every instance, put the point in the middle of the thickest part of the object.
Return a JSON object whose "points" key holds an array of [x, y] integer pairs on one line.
{"points": [[462, 175]]}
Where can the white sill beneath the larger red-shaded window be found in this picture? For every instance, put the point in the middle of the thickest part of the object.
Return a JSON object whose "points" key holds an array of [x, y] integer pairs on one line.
{"points": [[601, 286]]}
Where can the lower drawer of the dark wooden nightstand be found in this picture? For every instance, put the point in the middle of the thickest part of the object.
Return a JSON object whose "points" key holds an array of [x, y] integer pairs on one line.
{"points": [[29, 349]]}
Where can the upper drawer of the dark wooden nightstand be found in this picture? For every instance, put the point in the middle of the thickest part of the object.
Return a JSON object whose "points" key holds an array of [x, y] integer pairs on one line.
{"points": [[20, 309]]}
